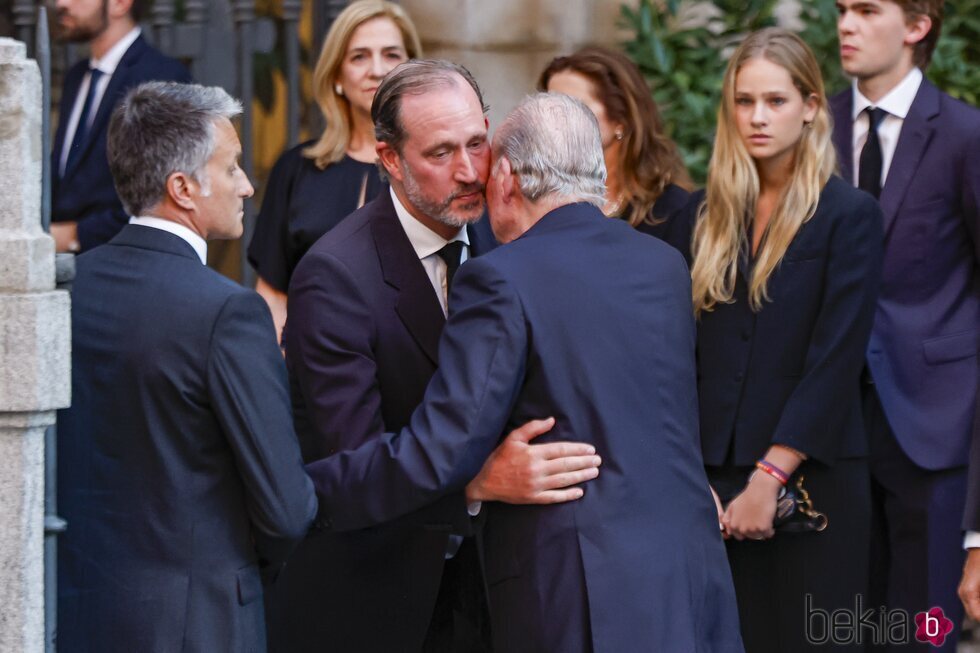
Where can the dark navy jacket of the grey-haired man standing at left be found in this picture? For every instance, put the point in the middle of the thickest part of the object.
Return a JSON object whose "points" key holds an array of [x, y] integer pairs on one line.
{"points": [[179, 472]]}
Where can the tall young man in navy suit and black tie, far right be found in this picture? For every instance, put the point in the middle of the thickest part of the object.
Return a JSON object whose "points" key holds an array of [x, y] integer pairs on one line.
{"points": [[918, 151]]}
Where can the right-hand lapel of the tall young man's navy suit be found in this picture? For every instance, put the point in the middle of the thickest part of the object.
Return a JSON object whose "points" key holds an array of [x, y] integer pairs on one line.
{"points": [[912, 143]]}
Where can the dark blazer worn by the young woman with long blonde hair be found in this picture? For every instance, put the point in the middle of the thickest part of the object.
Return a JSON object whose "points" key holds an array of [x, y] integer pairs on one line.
{"points": [[789, 374]]}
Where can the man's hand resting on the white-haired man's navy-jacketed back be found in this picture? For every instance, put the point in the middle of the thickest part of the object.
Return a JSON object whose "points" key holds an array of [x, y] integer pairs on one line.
{"points": [[519, 472]]}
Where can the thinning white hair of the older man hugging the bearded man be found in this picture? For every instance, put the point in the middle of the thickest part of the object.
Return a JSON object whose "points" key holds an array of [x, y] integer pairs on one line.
{"points": [[553, 145]]}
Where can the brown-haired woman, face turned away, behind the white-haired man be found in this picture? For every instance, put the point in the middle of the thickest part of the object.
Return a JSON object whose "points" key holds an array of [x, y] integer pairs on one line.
{"points": [[646, 180]]}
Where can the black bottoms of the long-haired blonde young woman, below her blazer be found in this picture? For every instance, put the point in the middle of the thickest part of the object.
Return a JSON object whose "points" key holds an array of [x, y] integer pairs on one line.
{"points": [[788, 586]]}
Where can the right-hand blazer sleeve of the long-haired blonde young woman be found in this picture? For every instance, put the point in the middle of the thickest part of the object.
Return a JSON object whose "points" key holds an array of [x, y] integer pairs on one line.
{"points": [[840, 334]]}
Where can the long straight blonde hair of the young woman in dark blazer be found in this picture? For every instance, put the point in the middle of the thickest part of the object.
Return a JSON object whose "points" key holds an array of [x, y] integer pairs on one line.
{"points": [[732, 190]]}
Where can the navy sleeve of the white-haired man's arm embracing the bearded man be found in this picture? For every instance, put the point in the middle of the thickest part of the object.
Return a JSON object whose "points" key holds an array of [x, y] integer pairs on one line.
{"points": [[482, 356]]}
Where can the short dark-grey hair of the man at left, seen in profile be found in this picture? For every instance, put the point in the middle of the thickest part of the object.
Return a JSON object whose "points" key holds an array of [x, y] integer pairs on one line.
{"points": [[161, 128]]}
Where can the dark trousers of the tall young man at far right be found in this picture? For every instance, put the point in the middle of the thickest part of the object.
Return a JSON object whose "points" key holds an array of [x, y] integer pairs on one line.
{"points": [[917, 545]]}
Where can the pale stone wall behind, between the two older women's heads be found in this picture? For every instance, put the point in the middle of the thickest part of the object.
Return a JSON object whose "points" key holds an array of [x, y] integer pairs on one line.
{"points": [[507, 43]]}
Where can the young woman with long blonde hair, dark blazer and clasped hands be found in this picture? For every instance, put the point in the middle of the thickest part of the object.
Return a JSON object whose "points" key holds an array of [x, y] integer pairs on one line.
{"points": [[786, 260]]}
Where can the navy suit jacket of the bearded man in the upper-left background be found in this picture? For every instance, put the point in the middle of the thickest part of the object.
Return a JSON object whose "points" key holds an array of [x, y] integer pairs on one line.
{"points": [[86, 192]]}
